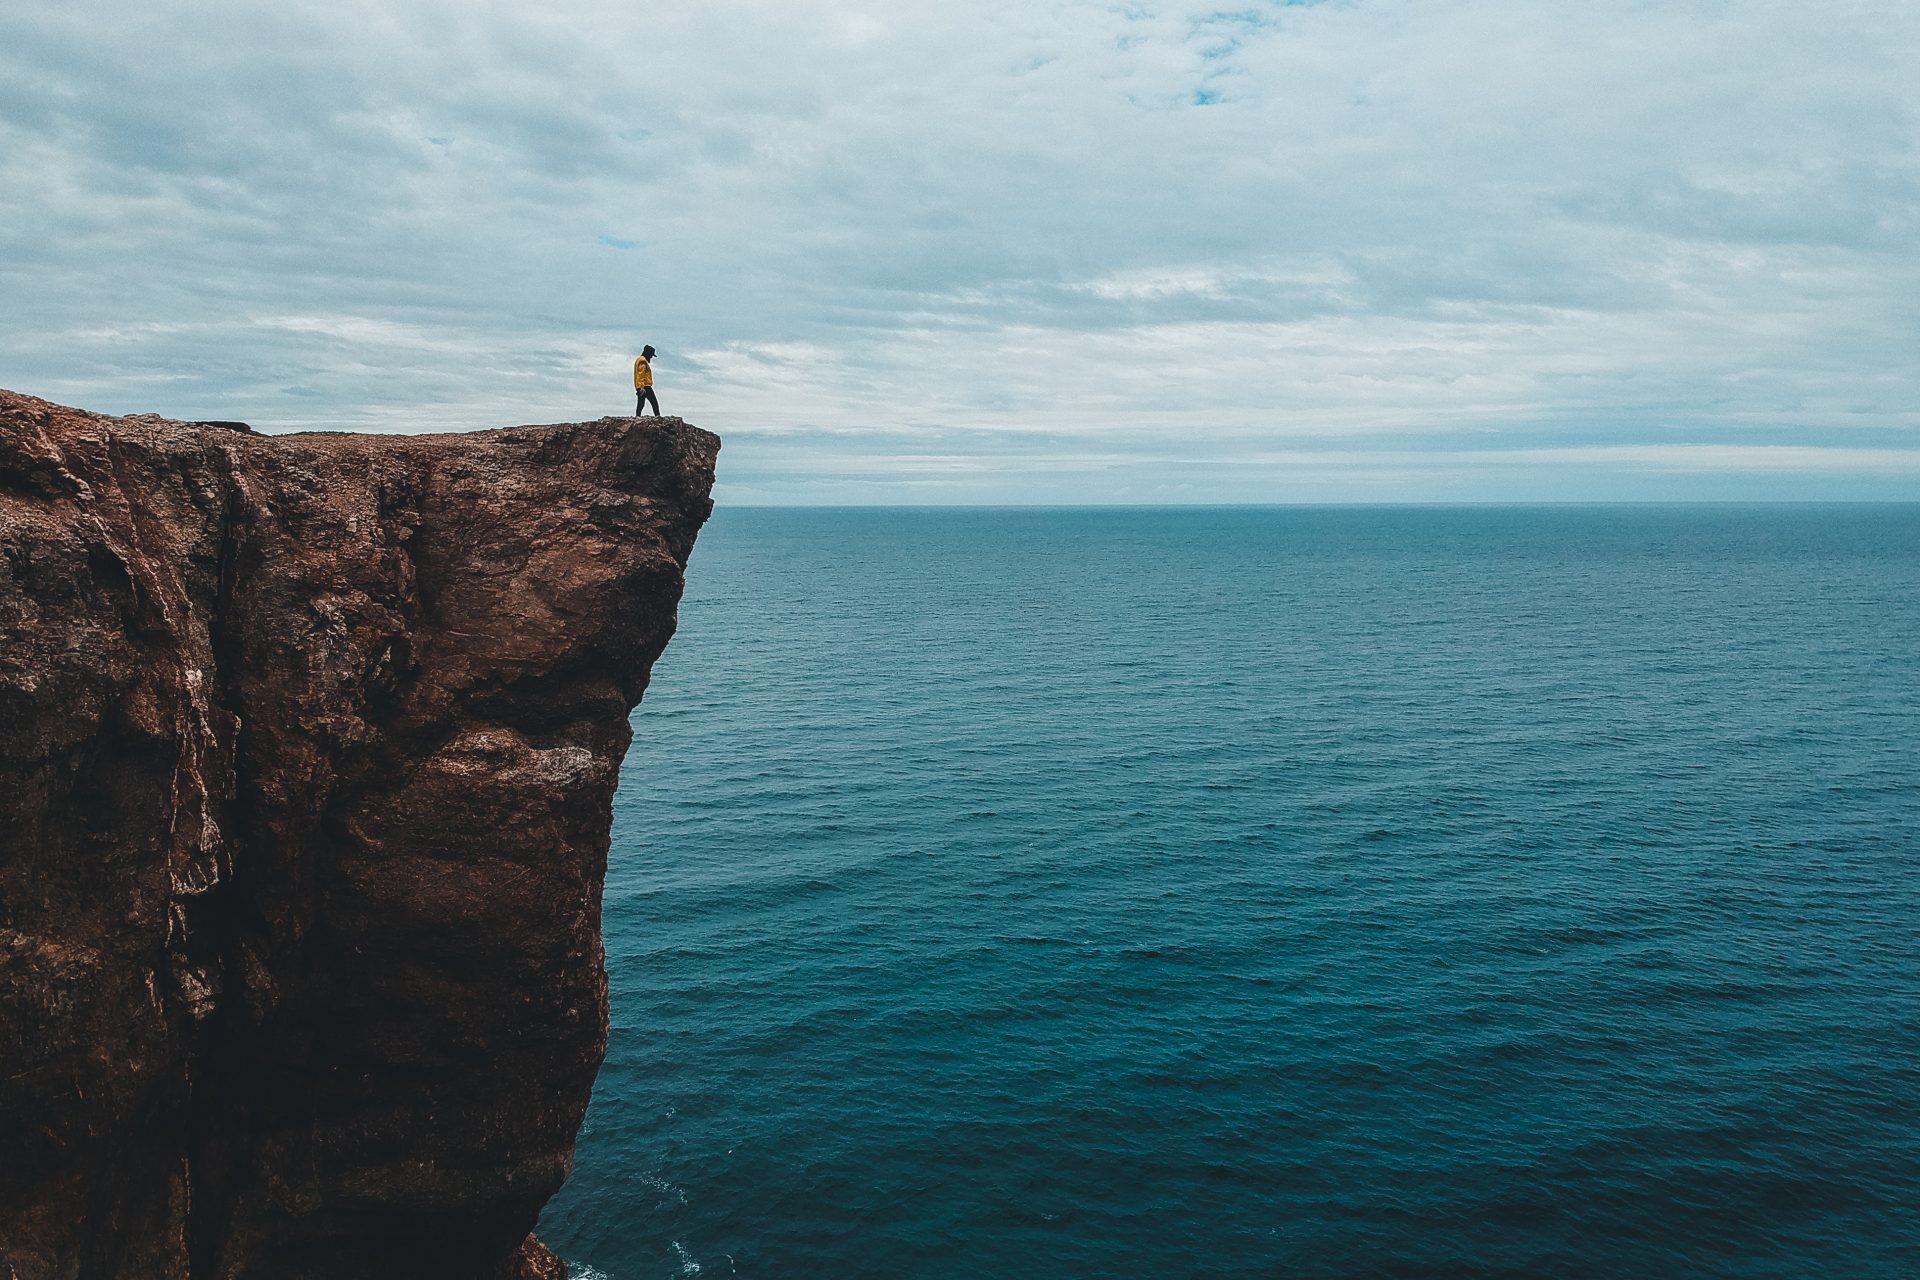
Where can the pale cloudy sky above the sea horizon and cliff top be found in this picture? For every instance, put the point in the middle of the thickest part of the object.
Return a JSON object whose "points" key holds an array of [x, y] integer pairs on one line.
{"points": [[926, 252]]}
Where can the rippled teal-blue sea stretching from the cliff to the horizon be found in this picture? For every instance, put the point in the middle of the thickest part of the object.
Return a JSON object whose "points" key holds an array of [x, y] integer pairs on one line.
{"points": [[1270, 893]]}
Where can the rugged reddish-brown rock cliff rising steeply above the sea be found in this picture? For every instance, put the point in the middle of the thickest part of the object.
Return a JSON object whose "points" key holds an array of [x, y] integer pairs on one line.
{"points": [[308, 749]]}
